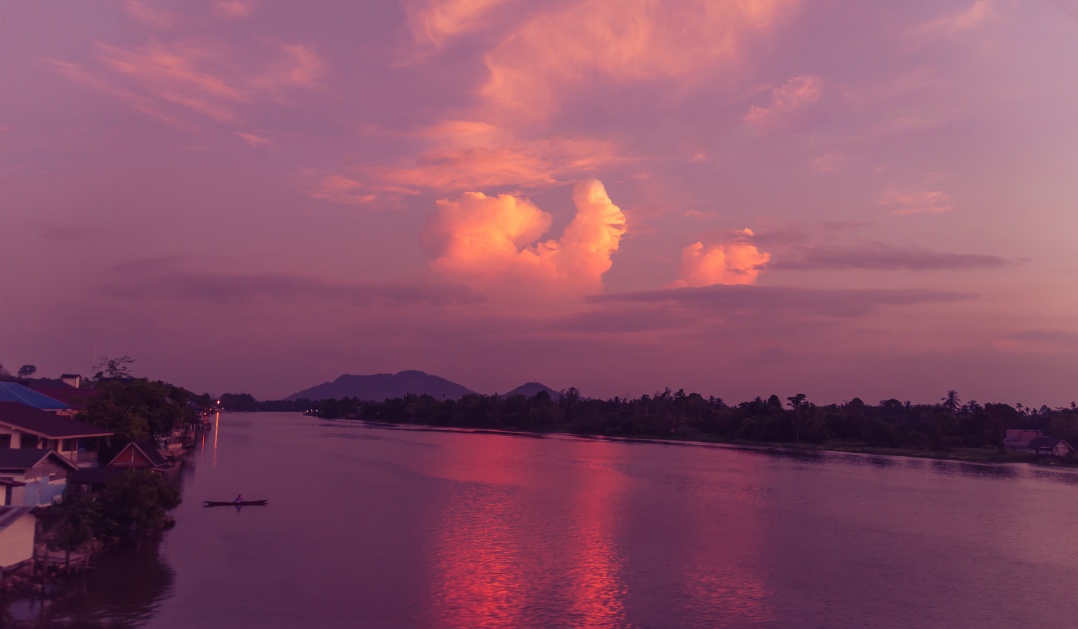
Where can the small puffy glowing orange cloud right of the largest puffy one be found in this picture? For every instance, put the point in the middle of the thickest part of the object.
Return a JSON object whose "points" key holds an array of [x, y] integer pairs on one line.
{"points": [[737, 263]]}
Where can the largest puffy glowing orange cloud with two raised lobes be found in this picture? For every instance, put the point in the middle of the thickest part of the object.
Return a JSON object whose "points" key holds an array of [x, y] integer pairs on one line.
{"points": [[491, 242]]}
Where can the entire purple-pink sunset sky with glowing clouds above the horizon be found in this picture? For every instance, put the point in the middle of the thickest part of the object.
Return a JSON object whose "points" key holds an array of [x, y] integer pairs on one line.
{"points": [[836, 198]]}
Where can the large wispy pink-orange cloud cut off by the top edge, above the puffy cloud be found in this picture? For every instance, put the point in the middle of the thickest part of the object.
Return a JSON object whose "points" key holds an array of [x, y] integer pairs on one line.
{"points": [[561, 51]]}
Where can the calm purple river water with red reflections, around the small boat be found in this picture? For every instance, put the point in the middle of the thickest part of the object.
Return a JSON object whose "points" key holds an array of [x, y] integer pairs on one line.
{"points": [[379, 527]]}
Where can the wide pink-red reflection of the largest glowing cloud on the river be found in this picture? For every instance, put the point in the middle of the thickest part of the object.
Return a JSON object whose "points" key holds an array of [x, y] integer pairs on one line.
{"points": [[519, 545]]}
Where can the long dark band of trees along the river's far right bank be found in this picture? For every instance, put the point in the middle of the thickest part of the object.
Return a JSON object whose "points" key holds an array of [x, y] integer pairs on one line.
{"points": [[950, 430]]}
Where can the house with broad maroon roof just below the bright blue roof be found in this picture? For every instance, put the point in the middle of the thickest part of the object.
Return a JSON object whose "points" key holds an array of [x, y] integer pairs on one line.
{"points": [[23, 427]]}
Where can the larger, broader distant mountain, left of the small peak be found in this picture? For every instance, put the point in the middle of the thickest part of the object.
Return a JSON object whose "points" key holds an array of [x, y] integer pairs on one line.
{"points": [[382, 387]]}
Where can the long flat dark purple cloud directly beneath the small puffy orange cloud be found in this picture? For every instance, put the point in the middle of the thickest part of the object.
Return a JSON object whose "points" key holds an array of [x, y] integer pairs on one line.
{"points": [[755, 300]]}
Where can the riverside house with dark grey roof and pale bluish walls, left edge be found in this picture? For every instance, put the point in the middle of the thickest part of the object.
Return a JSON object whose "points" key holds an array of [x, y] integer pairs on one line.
{"points": [[43, 474]]}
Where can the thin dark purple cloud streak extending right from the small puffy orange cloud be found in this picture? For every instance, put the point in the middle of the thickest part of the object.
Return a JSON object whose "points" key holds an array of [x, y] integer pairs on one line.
{"points": [[880, 256]]}
